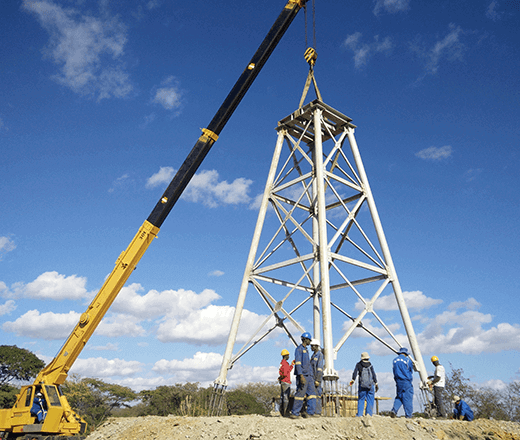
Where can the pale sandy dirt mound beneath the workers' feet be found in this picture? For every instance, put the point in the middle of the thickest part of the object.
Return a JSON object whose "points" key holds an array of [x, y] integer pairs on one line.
{"points": [[322, 428]]}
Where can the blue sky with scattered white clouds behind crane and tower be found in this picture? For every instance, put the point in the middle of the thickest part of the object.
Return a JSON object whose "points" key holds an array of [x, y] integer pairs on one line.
{"points": [[100, 102]]}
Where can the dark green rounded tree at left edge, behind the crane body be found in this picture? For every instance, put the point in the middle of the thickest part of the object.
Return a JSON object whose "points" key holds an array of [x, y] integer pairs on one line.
{"points": [[18, 364]]}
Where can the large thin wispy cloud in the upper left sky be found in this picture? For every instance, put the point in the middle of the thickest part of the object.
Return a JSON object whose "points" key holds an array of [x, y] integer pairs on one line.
{"points": [[87, 49]]}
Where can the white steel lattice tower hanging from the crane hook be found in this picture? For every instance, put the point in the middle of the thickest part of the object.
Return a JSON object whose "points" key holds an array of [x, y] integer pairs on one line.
{"points": [[328, 250]]}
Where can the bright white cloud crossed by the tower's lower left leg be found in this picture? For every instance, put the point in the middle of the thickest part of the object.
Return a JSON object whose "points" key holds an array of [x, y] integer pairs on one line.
{"points": [[209, 326]]}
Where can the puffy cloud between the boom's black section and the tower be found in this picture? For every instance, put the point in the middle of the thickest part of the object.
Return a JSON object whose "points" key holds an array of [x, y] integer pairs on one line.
{"points": [[206, 188]]}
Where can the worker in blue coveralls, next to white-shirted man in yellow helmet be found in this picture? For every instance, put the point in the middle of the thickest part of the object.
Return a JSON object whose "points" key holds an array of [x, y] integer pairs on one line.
{"points": [[403, 376]]}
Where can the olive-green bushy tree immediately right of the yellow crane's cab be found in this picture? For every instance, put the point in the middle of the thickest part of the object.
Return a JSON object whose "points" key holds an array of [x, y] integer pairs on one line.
{"points": [[95, 400]]}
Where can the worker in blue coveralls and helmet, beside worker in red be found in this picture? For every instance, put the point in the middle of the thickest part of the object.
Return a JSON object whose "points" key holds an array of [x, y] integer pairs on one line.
{"points": [[304, 380]]}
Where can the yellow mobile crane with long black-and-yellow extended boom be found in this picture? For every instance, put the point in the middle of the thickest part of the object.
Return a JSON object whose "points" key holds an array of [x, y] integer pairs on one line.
{"points": [[18, 420]]}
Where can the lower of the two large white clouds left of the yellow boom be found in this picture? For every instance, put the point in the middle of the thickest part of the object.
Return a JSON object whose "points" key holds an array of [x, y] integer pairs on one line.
{"points": [[49, 325]]}
